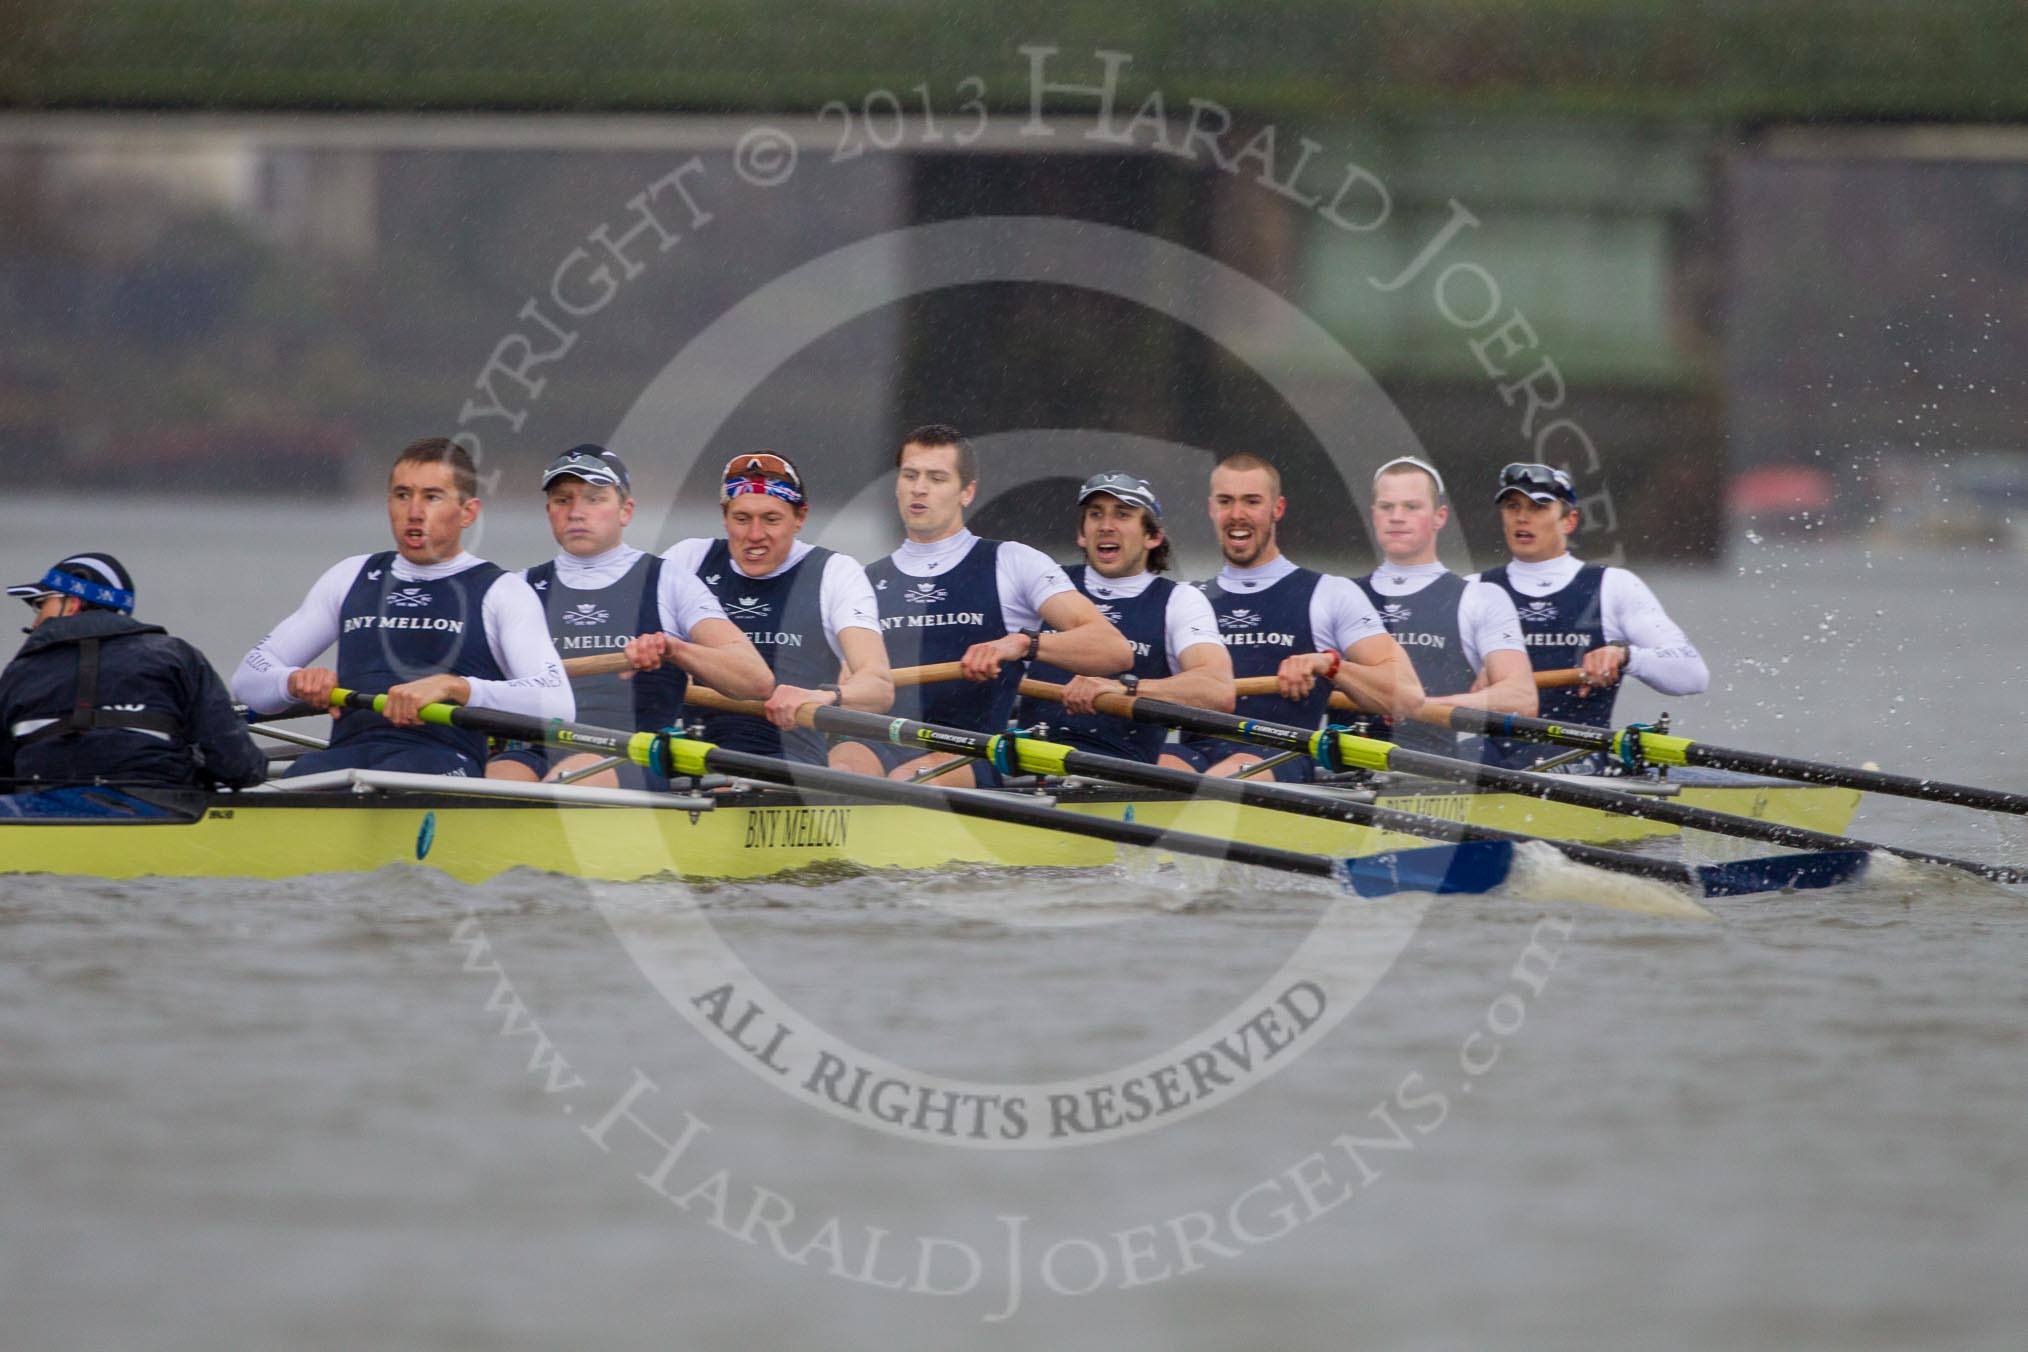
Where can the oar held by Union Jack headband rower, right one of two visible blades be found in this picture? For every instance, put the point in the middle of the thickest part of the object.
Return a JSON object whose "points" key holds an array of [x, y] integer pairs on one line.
{"points": [[1039, 757]]}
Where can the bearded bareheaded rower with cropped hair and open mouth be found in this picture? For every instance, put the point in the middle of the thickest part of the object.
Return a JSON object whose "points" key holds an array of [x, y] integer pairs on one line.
{"points": [[1311, 631]]}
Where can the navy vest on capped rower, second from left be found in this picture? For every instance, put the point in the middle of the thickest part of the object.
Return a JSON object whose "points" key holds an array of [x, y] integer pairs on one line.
{"points": [[587, 623]]}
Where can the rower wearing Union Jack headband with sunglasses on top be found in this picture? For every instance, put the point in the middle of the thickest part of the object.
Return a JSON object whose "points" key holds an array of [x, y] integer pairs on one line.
{"points": [[808, 611]]}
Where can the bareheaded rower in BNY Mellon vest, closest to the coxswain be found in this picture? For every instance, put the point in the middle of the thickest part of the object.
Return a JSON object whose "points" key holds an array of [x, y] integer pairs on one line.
{"points": [[427, 623]]}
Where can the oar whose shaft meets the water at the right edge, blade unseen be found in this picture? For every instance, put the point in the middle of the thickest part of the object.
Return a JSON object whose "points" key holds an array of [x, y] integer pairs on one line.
{"points": [[1354, 753]]}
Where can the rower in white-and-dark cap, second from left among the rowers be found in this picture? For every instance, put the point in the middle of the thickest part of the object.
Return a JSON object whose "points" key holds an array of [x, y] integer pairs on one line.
{"points": [[601, 595]]}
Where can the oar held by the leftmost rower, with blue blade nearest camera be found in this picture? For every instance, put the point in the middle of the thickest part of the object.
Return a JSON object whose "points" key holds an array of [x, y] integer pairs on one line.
{"points": [[1475, 867]]}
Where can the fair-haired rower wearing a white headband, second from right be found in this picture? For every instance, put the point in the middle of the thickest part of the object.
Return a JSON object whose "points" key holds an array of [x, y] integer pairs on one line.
{"points": [[1463, 637]]}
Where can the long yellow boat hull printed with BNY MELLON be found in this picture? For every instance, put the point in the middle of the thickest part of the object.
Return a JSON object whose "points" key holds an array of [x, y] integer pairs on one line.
{"points": [[762, 834]]}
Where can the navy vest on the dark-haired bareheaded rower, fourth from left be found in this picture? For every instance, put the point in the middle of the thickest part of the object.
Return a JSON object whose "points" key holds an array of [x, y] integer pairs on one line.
{"points": [[934, 621]]}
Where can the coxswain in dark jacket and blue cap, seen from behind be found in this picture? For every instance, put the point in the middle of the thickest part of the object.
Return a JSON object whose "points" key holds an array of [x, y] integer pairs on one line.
{"points": [[96, 696]]}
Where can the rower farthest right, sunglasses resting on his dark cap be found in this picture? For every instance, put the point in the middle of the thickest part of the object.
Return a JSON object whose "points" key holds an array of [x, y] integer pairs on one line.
{"points": [[1581, 615]]}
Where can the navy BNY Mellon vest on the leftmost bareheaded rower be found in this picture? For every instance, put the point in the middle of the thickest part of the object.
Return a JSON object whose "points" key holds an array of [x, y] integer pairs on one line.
{"points": [[394, 631]]}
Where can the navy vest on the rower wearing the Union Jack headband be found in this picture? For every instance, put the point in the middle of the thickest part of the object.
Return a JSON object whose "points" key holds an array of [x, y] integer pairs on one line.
{"points": [[784, 617]]}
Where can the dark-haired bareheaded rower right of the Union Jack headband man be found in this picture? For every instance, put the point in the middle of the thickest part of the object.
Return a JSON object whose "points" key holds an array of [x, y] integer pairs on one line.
{"points": [[989, 605]]}
